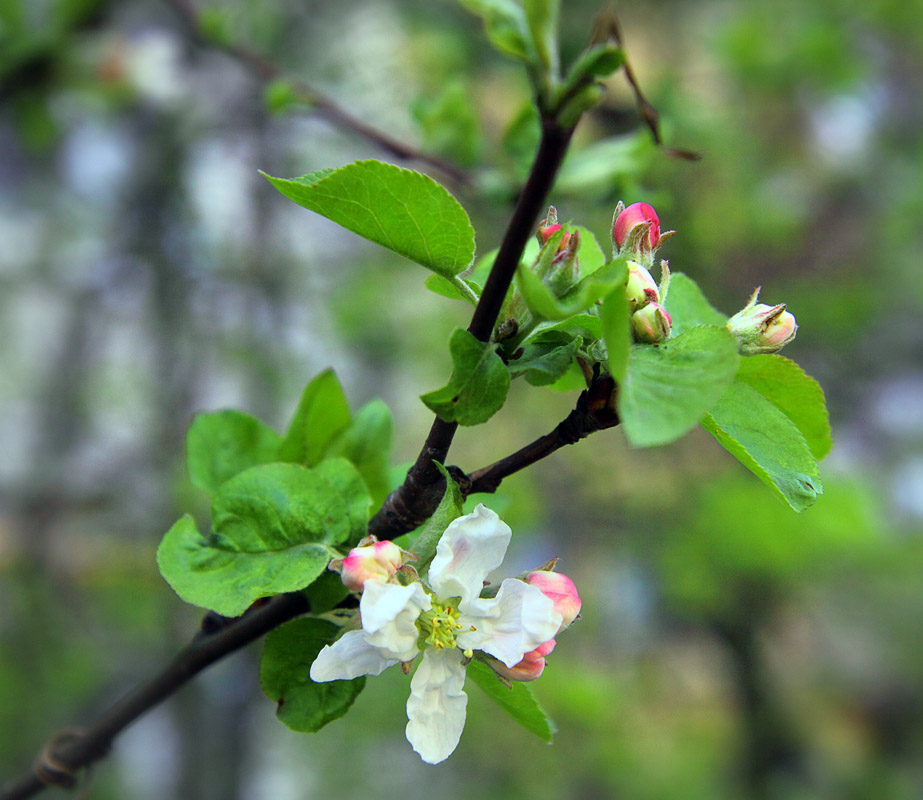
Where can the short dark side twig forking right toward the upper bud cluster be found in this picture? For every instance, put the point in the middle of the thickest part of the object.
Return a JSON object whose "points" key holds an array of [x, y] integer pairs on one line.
{"points": [[593, 413]]}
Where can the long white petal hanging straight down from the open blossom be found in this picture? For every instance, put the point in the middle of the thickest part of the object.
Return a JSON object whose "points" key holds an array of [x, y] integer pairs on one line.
{"points": [[436, 707]]}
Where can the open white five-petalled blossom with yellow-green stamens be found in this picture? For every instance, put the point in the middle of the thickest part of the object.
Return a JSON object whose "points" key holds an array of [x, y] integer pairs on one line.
{"points": [[448, 620]]}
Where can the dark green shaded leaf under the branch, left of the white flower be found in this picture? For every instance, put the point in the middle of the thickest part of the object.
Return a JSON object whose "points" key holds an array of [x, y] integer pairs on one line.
{"points": [[303, 705]]}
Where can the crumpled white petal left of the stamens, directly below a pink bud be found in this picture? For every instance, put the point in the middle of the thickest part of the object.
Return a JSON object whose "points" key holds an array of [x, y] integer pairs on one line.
{"points": [[389, 614]]}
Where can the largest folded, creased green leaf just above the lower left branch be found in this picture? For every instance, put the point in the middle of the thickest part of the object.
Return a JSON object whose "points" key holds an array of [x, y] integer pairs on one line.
{"points": [[273, 528]]}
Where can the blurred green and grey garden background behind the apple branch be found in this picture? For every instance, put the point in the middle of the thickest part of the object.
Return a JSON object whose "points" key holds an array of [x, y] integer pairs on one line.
{"points": [[728, 647]]}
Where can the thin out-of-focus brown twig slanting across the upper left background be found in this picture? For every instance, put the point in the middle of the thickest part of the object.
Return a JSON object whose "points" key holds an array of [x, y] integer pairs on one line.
{"points": [[266, 71]]}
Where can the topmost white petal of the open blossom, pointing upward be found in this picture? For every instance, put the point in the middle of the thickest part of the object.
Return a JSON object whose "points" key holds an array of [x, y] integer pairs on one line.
{"points": [[470, 548]]}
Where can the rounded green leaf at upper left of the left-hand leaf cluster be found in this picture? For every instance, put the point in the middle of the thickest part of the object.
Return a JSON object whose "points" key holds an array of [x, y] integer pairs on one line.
{"points": [[221, 444]]}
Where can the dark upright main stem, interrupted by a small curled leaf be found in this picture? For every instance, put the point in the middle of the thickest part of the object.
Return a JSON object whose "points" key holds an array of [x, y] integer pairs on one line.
{"points": [[414, 501]]}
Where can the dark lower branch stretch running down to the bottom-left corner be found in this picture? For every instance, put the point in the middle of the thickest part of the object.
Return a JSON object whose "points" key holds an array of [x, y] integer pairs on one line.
{"points": [[65, 754]]}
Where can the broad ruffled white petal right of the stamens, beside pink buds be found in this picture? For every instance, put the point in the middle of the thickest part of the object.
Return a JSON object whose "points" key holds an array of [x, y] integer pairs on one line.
{"points": [[508, 626]]}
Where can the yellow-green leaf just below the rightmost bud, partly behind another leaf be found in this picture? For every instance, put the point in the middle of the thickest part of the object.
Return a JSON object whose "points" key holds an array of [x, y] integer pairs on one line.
{"points": [[797, 395]]}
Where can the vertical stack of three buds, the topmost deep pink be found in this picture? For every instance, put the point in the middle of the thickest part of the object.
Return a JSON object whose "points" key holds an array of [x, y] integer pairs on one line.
{"points": [[636, 235]]}
